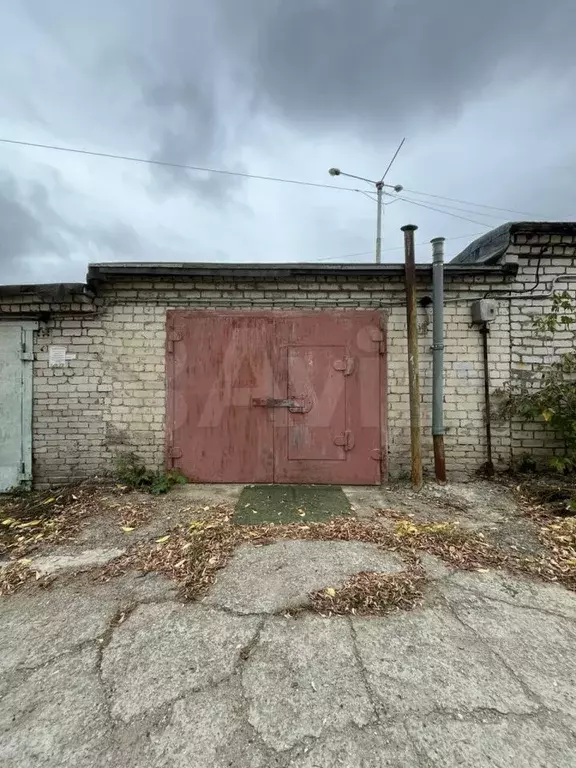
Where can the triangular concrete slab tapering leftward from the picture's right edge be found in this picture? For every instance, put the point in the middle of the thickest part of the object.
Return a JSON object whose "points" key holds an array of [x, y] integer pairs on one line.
{"points": [[537, 646]]}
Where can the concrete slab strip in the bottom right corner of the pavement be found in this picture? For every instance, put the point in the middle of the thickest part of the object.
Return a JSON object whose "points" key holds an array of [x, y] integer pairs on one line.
{"points": [[489, 740]]}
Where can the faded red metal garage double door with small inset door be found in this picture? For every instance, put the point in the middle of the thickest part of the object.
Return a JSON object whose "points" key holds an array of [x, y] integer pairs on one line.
{"points": [[276, 396]]}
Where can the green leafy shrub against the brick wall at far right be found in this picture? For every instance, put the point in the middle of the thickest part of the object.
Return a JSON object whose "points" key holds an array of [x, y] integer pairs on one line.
{"points": [[551, 396]]}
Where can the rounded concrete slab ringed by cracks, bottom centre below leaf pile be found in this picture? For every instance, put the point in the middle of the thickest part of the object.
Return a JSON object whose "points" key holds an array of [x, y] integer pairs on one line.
{"points": [[303, 678]]}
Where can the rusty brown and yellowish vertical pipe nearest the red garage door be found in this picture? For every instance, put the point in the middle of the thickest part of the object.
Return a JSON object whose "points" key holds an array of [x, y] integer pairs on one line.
{"points": [[413, 375]]}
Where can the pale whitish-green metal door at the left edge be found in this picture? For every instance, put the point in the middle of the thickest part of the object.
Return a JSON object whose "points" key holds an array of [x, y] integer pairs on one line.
{"points": [[15, 404]]}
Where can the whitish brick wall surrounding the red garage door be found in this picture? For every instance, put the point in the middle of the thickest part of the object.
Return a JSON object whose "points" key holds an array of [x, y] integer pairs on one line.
{"points": [[111, 396]]}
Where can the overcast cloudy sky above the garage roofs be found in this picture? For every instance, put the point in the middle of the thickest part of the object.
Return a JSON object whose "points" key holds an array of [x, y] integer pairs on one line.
{"points": [[484, 93]]}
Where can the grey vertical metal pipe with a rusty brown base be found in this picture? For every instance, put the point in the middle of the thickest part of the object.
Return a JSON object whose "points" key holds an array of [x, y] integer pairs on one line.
{"points": [[438, 358]]}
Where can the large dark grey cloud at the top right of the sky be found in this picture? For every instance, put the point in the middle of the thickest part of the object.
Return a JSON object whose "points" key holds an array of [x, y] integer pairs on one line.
{"points": [[375, 66]]}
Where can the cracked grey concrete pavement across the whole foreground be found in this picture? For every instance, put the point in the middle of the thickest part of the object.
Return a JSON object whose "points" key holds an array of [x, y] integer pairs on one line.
{"points": [[123, 673]]}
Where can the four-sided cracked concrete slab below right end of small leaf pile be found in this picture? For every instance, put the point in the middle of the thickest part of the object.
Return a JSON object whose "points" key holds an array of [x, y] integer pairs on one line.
{"points": [[426, 660]]}
